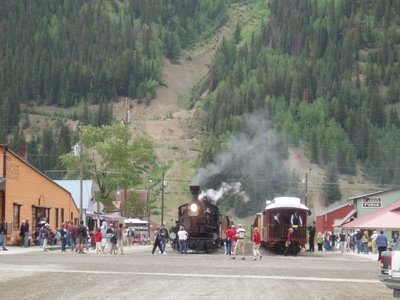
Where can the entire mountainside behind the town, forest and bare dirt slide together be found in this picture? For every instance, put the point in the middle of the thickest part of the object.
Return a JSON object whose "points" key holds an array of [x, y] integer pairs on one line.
{"points": [[308, 82]]}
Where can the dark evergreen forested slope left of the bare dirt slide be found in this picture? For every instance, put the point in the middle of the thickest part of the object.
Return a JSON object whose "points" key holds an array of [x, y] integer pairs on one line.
{"points": [[66, 52]]}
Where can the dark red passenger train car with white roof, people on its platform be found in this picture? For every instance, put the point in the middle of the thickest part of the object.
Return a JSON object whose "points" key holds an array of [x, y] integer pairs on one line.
{"points": [[275, 220]]}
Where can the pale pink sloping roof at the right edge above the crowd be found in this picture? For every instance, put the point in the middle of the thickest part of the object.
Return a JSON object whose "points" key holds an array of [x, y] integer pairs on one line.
{"points": [[386, 217]]}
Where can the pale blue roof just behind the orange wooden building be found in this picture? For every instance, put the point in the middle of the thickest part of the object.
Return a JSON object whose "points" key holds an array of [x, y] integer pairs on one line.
{"points": [[74, 187]]}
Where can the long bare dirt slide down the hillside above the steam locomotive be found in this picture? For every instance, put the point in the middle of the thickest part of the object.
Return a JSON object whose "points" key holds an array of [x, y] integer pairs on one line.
{"points": [[173, 129]]}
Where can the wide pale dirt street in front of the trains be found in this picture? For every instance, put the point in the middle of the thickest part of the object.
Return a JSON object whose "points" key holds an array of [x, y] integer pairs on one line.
{"points": [[139, 275]]}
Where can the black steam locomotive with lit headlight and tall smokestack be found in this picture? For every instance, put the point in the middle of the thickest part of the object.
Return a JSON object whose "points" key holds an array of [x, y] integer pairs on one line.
{"points": [[203, 222]]}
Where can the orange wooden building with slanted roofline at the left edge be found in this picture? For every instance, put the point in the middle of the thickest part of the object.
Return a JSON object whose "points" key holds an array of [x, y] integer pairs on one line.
{"points": [[26, 193]]}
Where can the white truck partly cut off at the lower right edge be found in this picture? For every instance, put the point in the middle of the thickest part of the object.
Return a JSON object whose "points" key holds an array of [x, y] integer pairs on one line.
{"points": [[390, 269]]}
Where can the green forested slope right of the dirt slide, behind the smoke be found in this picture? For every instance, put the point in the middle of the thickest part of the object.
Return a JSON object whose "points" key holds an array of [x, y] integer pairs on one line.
{"points": [[327, 72]]}
